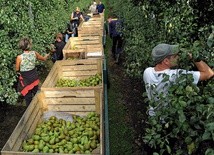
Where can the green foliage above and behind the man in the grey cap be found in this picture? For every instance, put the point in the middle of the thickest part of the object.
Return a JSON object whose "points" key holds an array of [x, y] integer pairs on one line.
{"points": [[152, 22]]}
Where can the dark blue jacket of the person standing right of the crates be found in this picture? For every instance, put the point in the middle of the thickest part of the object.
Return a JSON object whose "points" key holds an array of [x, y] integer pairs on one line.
{"points": [[115, 27]]}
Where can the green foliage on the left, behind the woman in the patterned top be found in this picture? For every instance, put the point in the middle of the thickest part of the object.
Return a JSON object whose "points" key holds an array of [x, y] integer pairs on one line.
{"points": [[39, 20]]}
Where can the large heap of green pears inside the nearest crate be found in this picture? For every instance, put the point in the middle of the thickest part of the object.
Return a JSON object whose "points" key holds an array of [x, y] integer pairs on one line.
{"points": [[60, 136]]}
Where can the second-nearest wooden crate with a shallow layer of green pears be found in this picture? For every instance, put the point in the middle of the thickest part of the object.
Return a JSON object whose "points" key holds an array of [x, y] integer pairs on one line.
{"points": [[72, 78]]}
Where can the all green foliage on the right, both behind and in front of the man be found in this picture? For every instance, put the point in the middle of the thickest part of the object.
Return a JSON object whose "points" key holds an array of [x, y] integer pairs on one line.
{"points": [[188, 116]]}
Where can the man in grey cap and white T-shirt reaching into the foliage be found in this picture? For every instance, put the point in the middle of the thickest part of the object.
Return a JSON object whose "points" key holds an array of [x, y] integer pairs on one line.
{"points": [[165, 57]]}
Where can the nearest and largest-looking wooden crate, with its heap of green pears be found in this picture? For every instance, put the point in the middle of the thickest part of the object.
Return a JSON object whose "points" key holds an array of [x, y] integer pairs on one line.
{"points": [[47, 130]]}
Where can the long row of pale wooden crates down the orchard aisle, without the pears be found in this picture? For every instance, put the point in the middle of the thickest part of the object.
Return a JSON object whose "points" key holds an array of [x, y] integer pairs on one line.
{"points": [[77, 101]]}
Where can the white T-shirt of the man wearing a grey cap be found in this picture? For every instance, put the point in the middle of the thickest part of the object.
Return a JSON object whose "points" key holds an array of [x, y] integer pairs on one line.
{"points": [[154, 80]]}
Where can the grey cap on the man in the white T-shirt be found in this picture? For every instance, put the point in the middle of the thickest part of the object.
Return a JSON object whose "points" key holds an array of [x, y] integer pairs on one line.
{"points": [[161, 51]]}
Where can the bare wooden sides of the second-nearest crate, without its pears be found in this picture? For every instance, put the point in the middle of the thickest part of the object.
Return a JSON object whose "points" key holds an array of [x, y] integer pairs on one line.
{"points": [[75, 69]]}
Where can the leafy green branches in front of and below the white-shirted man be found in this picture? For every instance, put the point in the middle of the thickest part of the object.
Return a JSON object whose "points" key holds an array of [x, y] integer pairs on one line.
{"points": [[185, 122]]}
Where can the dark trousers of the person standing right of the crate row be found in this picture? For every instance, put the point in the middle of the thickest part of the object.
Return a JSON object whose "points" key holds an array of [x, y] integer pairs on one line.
{"points": [[117, 45]]}
